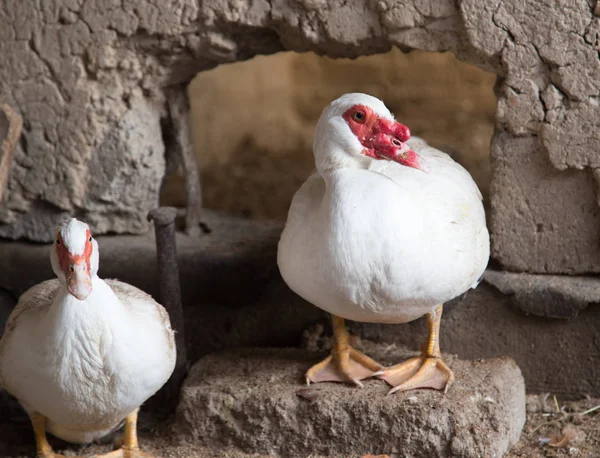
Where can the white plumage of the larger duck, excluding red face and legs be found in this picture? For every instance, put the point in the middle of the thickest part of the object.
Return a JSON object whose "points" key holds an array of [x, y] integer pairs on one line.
{"points": [[374, 241]]}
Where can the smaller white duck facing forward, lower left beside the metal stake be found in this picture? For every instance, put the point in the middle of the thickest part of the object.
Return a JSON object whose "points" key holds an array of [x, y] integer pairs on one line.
{"points": [[82, 354]]}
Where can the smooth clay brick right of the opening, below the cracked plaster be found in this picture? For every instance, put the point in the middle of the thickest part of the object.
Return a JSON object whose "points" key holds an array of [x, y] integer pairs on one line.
{"points": [[543, 220]]}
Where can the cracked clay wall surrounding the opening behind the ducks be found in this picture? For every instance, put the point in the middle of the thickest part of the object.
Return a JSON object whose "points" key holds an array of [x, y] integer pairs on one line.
{"points": [[89, 78]]}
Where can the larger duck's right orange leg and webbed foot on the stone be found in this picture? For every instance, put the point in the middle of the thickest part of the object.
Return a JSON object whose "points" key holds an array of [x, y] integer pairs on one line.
{"points": [[425, 371]]}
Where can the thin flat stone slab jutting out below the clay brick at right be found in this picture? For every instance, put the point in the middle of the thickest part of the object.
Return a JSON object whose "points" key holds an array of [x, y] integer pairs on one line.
{"points": [[554, 296]]}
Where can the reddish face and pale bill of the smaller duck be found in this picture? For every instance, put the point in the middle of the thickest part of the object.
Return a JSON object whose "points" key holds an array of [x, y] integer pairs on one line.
{"points": [[76, 267]]}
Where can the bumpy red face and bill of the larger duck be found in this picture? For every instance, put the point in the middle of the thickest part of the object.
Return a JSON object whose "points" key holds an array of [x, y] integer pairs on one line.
{"points": [[381, 137]]}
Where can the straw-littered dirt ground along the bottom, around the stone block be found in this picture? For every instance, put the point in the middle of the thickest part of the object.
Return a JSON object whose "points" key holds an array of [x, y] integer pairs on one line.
{"points": [[548, 422]]}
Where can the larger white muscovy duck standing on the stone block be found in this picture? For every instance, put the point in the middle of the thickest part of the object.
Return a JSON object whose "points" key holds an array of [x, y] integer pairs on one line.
{"points": [[385, 230]]}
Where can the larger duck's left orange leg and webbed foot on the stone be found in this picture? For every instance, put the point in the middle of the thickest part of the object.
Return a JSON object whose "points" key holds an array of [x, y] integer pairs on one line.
{"points": [[345, 364]]}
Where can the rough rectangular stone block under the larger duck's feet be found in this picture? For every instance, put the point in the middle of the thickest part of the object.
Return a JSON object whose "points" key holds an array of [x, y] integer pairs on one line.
{"points": [[256, 400]]}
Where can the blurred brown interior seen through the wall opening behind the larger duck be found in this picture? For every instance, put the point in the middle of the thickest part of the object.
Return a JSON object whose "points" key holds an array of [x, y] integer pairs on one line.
{"points": [[253, 122]]}
